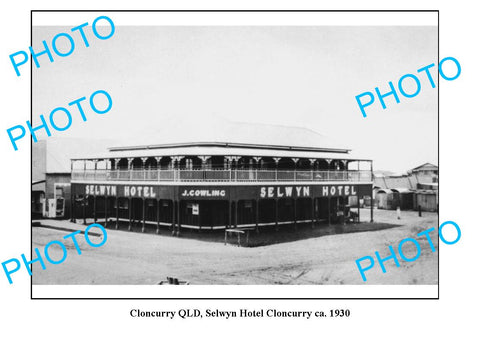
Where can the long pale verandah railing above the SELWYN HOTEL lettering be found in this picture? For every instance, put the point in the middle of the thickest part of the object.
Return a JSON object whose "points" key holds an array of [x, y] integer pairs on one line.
{"points": [[212, 175]]}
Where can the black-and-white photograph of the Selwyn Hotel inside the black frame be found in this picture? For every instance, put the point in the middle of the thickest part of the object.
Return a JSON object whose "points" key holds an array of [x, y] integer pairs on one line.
{"points": [[237, 154]]}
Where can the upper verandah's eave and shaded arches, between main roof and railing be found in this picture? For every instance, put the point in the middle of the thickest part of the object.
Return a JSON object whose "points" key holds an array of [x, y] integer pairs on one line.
{"points": [[201, 156]]}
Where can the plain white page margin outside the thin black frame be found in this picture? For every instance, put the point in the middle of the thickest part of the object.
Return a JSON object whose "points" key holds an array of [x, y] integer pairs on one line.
{"points": [[454, 315]]}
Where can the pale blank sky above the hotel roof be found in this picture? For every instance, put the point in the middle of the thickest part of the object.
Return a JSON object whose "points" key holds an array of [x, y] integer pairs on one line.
{"points": [[172, 80]]}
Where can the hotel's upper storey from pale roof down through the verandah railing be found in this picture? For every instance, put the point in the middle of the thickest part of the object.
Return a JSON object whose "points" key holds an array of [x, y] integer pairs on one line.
{"points": [[284, 154]]}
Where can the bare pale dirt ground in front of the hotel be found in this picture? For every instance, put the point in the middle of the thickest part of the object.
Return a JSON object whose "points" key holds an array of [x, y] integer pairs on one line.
{"points": [[319, 257]]}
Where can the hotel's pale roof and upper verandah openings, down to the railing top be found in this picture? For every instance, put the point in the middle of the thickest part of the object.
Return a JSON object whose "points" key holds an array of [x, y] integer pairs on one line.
{"points": [[229, 146]]}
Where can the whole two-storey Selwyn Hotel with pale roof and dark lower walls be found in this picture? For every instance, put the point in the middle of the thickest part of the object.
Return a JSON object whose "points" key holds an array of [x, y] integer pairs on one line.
{"points": [[281, 176]]}
